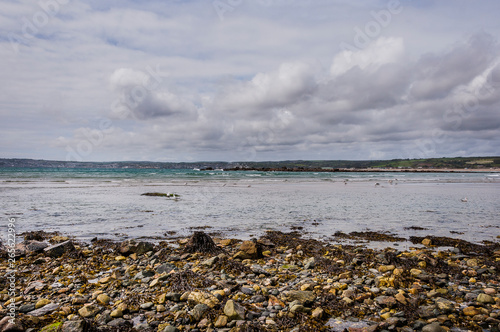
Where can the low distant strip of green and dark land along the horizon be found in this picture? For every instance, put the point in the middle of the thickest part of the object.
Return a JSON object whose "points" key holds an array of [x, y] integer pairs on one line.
{"points": [[430, 165]]}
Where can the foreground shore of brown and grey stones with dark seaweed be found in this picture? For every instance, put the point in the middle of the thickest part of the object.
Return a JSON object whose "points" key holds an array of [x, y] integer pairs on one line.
{"points": [[280, 282]]}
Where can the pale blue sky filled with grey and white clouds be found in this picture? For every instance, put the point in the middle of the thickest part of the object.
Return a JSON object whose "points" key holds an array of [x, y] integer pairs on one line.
{"points": [[249, 80]]}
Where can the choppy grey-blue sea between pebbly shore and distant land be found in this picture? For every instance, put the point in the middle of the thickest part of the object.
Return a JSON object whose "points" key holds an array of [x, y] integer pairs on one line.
{"points": [[108, 203]]}
